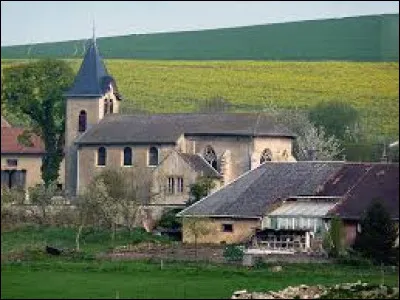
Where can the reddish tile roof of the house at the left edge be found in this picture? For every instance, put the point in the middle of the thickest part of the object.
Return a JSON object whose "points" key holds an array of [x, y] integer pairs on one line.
{"points": [[10, 145]]}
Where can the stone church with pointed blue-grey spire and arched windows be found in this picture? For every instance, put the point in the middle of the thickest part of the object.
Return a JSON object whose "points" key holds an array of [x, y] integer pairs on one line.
{"points": [[182, 147]]}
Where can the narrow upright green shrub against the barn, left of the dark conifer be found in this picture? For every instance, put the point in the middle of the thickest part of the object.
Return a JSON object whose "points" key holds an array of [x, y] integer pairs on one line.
{"points": [[334, 238]]}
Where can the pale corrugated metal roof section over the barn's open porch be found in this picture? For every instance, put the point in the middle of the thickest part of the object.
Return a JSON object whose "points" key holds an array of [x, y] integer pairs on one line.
{"points": [[303, 208]]}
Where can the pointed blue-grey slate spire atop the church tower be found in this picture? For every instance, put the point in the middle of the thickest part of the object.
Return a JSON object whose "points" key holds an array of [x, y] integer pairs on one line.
{"points": [[89, 82]]}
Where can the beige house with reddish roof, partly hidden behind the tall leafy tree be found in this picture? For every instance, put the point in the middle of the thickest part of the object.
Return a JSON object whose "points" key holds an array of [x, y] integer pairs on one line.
{"points": [[21, 162]]}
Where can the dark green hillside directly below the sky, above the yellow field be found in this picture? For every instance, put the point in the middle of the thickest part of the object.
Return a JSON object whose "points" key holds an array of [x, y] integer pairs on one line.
{"points": [[363, 38]]}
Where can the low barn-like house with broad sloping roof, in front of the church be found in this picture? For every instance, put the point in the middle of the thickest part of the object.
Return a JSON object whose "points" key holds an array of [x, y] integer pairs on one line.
{"points": [[289, 204]]}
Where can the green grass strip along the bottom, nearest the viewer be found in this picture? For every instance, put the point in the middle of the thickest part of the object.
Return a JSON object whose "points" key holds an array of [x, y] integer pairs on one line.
{"points": [[105, 279]]}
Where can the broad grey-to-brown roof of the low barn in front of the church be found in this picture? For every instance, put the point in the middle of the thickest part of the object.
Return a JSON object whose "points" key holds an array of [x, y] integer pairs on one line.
{"points": [[254, 192]]}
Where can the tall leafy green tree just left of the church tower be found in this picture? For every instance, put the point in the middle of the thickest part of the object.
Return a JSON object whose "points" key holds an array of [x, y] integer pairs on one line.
{"points": [[36, 90]]}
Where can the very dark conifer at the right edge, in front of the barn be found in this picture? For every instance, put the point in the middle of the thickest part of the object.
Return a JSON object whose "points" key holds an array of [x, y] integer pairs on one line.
{"points": [[378, 234]]}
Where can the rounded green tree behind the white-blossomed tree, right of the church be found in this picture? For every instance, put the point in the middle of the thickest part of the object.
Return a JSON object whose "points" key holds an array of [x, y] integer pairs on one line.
{"points": [[337, 118]]}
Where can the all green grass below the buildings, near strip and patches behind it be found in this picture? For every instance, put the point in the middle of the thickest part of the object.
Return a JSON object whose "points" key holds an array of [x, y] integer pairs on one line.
{"points": [[36, 275]]}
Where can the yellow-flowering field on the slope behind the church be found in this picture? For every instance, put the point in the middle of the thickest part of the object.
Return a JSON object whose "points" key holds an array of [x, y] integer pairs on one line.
{"points": [[183, 86]]}
